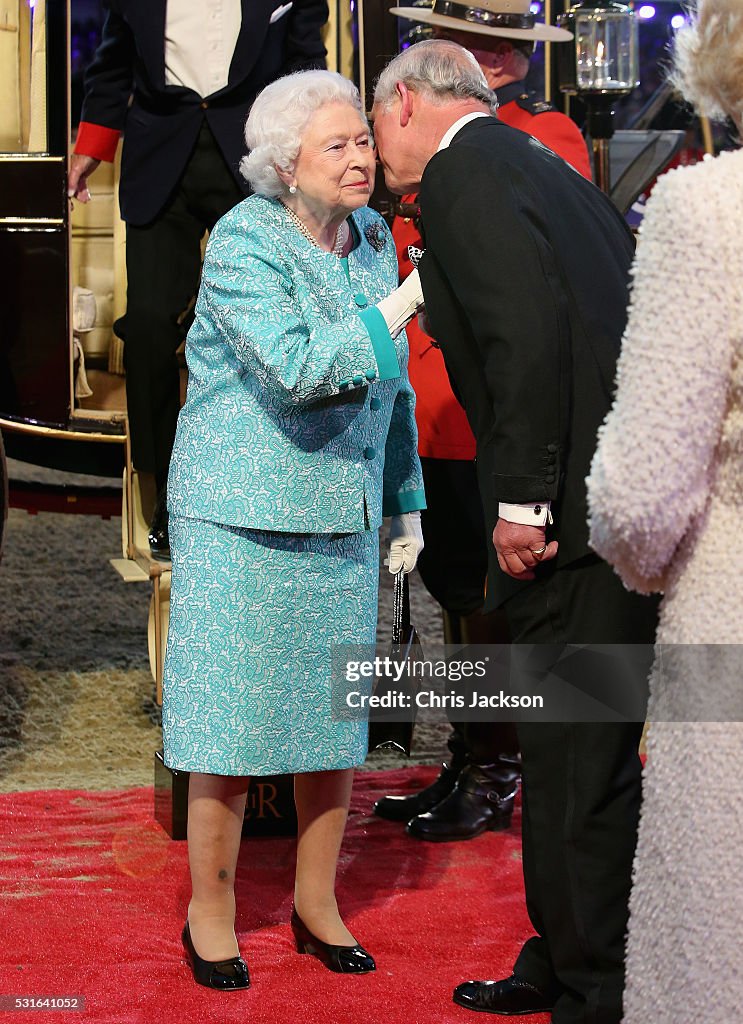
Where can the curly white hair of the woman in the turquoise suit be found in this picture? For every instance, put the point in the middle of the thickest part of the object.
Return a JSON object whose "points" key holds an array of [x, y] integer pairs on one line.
{"points": [[279, 119]]}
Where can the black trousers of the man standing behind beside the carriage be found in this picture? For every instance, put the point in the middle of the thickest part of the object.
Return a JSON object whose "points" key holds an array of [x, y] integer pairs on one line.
{"points": [[163, 270]]}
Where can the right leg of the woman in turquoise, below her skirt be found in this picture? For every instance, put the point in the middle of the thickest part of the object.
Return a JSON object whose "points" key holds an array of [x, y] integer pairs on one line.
{"points": [[323, 799]]}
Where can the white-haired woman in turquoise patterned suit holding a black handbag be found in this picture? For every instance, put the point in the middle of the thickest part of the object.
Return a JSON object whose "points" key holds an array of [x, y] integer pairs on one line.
{"points": [[297, 437]]}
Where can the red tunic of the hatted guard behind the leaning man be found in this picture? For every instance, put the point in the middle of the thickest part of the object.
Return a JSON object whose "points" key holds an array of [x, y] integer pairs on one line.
{"points": [[443, 429]]}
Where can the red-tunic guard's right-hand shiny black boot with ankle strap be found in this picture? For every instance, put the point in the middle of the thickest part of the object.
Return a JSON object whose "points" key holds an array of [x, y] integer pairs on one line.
{"points": [[482, 801]]}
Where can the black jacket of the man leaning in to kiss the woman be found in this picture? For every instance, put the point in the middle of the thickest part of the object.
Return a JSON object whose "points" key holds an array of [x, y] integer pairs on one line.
{"points": [[526, 279]]}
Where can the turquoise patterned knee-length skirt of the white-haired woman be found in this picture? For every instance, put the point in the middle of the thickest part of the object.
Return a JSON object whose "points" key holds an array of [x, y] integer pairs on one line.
{"points": [[253, 619]]}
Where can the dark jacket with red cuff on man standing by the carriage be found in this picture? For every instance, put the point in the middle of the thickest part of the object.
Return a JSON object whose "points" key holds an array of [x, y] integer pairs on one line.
{"points": [[162, 123]]}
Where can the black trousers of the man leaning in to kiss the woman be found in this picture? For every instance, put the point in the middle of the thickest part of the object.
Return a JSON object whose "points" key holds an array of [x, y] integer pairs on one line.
{"points": [[581, 802]]}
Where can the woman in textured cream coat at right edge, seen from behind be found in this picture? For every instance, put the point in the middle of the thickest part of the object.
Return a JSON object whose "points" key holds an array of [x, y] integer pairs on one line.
{"points": [[667, 500]]}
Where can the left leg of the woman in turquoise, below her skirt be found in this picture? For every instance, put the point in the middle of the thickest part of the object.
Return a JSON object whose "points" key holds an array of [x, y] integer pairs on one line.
{"points": [[216, 808]]}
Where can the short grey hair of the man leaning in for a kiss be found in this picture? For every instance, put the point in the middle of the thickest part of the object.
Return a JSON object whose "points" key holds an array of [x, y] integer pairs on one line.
{"points": [[441, 70]]}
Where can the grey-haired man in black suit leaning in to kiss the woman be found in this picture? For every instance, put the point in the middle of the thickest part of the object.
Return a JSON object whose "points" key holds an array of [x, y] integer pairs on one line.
{"points": [[526, 279]]}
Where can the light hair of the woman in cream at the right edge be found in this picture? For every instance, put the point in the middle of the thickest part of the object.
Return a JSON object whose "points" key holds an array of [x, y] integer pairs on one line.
{"points": [[709, 60]]}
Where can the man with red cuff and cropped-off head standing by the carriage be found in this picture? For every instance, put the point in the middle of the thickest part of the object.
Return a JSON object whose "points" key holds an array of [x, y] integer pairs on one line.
{"points": [[179, 79]]}
